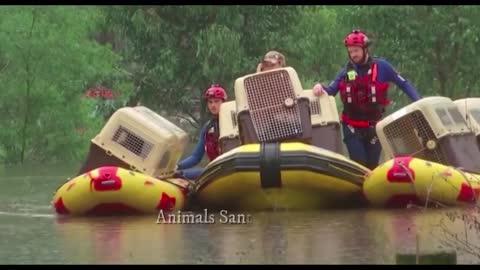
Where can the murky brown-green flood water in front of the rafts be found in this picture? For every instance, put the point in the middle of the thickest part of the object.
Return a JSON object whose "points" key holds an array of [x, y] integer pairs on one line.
{"points": [[31, 233]]}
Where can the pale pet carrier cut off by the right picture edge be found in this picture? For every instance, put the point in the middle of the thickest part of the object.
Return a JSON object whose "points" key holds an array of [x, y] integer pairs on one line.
{"points": [[470, 110]]}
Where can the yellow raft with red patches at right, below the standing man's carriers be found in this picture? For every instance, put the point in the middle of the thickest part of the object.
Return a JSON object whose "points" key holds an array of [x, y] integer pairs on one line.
{"points": [[404, 180]]}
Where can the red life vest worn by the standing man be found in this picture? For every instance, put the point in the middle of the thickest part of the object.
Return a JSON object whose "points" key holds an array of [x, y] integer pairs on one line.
{"points": [[364, 98]]}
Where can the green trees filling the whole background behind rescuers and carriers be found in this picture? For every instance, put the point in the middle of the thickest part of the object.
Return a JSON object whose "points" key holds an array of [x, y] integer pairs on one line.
{"points": [[165, 56]]}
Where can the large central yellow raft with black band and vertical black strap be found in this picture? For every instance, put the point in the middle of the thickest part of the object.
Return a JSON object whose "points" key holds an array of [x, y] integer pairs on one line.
{"points": [[289, 175]]}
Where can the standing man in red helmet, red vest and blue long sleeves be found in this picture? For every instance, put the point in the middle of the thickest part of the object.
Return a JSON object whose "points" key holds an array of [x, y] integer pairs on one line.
{"points": [[363, 84]]}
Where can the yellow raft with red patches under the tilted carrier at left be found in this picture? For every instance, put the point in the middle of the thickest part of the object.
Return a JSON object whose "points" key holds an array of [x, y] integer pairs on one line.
{"points": [[117, 191]]}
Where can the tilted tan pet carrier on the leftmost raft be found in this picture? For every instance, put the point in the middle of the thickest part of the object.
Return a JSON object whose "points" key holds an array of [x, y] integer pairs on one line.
{"points": [[137, 138]]}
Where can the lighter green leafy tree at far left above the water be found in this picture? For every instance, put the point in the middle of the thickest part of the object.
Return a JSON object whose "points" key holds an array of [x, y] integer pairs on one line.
{"points": [[49, 61]]}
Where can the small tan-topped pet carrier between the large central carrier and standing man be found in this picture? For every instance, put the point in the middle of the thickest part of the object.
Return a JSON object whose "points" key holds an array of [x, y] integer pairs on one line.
{"points": [[326, 131]]}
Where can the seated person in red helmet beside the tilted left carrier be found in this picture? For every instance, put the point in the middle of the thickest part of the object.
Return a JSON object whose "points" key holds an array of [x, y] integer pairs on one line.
{"points": [[209, 134]]}
